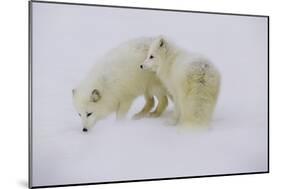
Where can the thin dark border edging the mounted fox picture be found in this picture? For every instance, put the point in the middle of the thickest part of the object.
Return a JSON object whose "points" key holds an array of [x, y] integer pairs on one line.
{"points": [[30, 97]]}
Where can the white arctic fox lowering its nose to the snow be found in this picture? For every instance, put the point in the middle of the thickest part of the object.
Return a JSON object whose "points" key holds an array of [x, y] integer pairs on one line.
{"points": [[115, 82]]}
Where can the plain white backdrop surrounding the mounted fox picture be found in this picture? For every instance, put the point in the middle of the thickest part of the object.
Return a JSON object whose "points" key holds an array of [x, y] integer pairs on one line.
{"points": [[14, 111]]}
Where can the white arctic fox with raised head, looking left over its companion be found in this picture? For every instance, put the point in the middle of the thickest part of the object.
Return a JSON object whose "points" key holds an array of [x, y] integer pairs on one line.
{"points": [[192, 81]]}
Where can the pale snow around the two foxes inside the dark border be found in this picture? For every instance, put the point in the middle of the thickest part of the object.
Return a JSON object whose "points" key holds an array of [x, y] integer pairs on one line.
{"points": [[67, 40]]}
